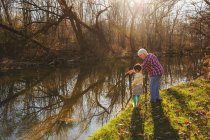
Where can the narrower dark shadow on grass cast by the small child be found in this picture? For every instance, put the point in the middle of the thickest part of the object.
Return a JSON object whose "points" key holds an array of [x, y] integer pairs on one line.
{"points": [[137, 126]]}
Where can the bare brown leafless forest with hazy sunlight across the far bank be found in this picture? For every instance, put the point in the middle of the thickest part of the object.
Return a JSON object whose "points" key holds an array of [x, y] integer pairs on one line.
{"points": [[43, 31]]}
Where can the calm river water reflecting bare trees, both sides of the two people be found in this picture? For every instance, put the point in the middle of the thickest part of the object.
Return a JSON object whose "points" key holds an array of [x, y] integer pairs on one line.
{"points": [[71, 103]]}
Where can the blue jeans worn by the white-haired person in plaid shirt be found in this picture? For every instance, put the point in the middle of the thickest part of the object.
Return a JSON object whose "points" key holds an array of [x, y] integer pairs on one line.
{"points": [[154, 88]]}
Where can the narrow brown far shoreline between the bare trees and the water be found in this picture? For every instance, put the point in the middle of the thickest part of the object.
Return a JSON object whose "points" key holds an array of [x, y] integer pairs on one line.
{"points": [[13, 64]]}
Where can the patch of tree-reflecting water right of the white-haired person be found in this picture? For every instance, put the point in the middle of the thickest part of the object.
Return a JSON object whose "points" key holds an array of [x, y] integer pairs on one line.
{"points": [[179, 68]]}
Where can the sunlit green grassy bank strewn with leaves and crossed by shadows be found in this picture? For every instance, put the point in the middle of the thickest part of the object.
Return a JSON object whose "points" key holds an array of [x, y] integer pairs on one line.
{"points": [[183, 114]]}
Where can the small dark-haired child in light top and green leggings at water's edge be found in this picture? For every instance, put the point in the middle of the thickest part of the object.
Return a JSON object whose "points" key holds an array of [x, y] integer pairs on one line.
{"points": [[137, 84]]}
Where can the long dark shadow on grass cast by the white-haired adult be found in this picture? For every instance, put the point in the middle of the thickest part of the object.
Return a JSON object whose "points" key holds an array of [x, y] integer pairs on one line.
{"points": [[162, 127]]}
